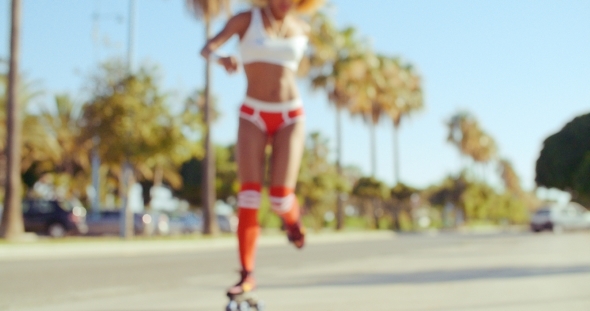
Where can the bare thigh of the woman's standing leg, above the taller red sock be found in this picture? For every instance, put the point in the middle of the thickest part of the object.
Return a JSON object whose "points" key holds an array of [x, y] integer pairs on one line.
{"points": [[250, 152]]}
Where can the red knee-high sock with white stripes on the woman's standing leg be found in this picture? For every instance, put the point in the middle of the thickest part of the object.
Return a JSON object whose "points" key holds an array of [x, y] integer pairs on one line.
{"points": [[248, 229]]}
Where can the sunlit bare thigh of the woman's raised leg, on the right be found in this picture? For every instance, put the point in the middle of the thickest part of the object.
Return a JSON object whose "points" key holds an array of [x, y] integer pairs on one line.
{"points": [[287, 150]]}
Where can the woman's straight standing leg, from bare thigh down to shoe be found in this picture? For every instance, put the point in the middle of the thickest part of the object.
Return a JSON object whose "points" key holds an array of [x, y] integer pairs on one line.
{"points": [[250, 158]]}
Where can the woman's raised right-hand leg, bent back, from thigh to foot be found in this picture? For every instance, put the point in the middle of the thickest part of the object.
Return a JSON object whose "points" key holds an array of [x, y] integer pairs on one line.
{"points": [[287, 151]]}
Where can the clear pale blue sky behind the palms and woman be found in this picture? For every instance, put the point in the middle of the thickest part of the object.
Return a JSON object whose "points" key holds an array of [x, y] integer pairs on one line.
{"points": [[520, 67]]}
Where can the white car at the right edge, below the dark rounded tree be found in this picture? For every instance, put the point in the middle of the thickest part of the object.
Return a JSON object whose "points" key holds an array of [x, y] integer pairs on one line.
{"points": [[560, 217]]}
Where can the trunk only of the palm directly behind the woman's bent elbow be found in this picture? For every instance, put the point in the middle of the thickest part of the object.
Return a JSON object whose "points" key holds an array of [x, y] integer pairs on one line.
{"points": [[209, 224]]}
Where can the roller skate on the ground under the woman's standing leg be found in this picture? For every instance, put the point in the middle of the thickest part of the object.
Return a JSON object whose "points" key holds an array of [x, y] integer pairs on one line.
{"points": [[242, 296]]}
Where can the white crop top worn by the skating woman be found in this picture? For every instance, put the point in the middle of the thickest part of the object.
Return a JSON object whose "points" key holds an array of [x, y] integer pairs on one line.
{"points": [[258, 46]]}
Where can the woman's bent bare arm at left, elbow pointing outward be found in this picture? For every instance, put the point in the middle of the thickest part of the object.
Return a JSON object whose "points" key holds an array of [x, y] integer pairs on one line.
{"points": [[236, 25]]}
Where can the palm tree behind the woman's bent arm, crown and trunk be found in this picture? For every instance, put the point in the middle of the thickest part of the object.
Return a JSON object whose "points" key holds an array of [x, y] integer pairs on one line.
{"points": [[207, 10]]}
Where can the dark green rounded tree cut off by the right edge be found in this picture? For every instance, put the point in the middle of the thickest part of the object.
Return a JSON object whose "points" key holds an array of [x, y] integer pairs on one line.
{"points": [[563, 161]]}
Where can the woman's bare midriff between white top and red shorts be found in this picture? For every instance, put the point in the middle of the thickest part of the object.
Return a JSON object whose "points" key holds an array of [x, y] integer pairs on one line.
{"points": [[270, 82]]}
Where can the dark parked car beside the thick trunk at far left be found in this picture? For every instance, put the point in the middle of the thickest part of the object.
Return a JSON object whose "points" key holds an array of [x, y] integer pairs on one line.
{"points": [[55, 218]]}
